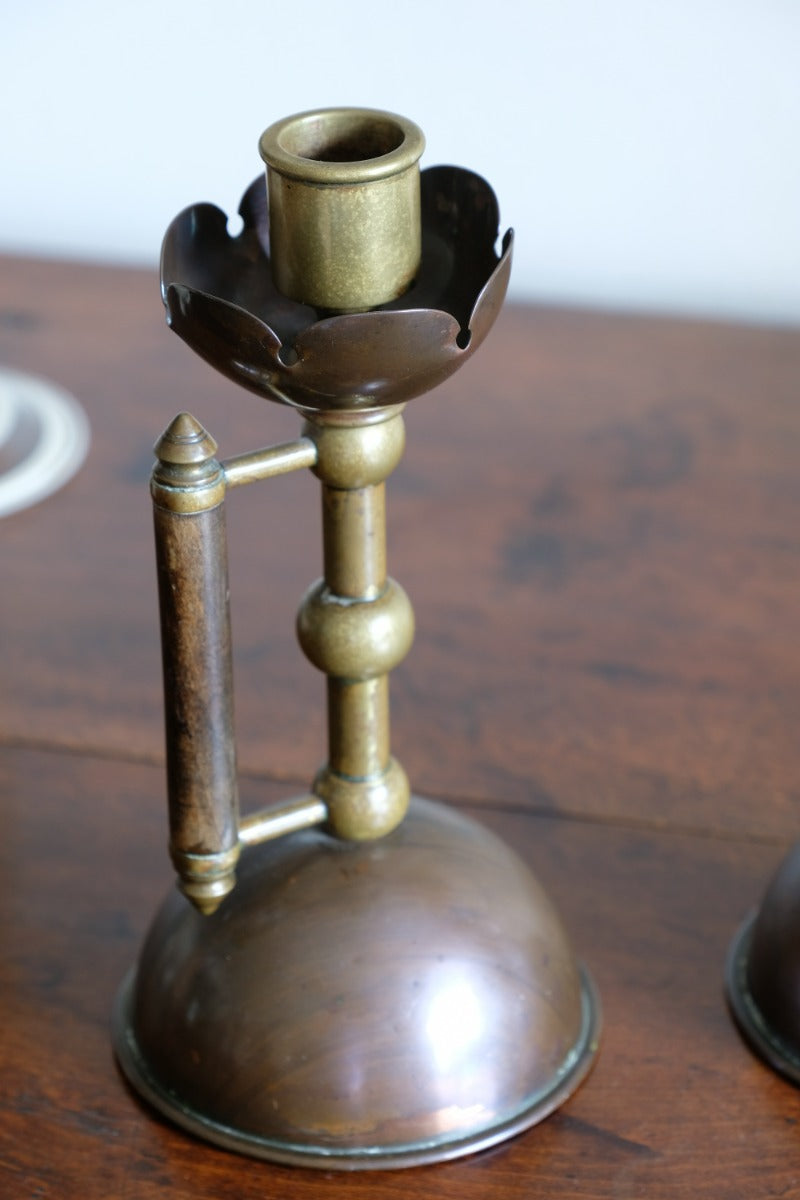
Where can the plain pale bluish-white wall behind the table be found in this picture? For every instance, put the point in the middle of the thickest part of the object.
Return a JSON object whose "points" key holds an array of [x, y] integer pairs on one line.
{"points": [[647, 152]]}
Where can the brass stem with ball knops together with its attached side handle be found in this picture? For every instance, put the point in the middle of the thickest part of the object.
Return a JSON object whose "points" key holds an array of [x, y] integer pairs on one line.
{"points": [[356, 625]]}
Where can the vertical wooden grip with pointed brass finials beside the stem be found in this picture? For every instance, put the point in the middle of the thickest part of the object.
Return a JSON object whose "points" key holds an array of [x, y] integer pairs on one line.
{"points": [[189, 490]]}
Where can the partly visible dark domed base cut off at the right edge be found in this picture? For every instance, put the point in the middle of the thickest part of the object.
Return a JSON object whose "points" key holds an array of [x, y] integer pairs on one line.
{"points": [[763, 974]]}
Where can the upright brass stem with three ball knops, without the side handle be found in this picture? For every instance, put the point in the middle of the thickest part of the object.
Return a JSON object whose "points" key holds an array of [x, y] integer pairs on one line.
{"points": [[357, 625]]}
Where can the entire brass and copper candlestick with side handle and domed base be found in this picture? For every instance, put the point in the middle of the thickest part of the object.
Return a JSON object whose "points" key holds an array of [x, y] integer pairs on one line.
{"points": [[352, 980]]}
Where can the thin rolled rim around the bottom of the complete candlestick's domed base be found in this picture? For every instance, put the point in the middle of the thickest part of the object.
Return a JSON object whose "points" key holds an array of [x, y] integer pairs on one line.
{"points": [[570, 1075]]}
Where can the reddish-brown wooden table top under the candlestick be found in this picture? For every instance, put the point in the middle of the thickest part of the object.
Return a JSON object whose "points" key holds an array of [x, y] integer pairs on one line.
{"points": [[599, 524]]}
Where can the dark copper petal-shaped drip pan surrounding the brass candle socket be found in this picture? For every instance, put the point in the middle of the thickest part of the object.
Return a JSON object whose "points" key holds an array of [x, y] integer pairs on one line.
{"points": [[221, 299]]}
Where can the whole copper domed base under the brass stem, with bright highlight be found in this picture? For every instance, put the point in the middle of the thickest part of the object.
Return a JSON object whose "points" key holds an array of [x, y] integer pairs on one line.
{"points": [[350, 1006]]}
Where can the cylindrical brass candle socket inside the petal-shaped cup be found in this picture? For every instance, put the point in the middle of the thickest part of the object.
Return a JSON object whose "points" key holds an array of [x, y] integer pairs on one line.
{"points": [[344, 189]]}
